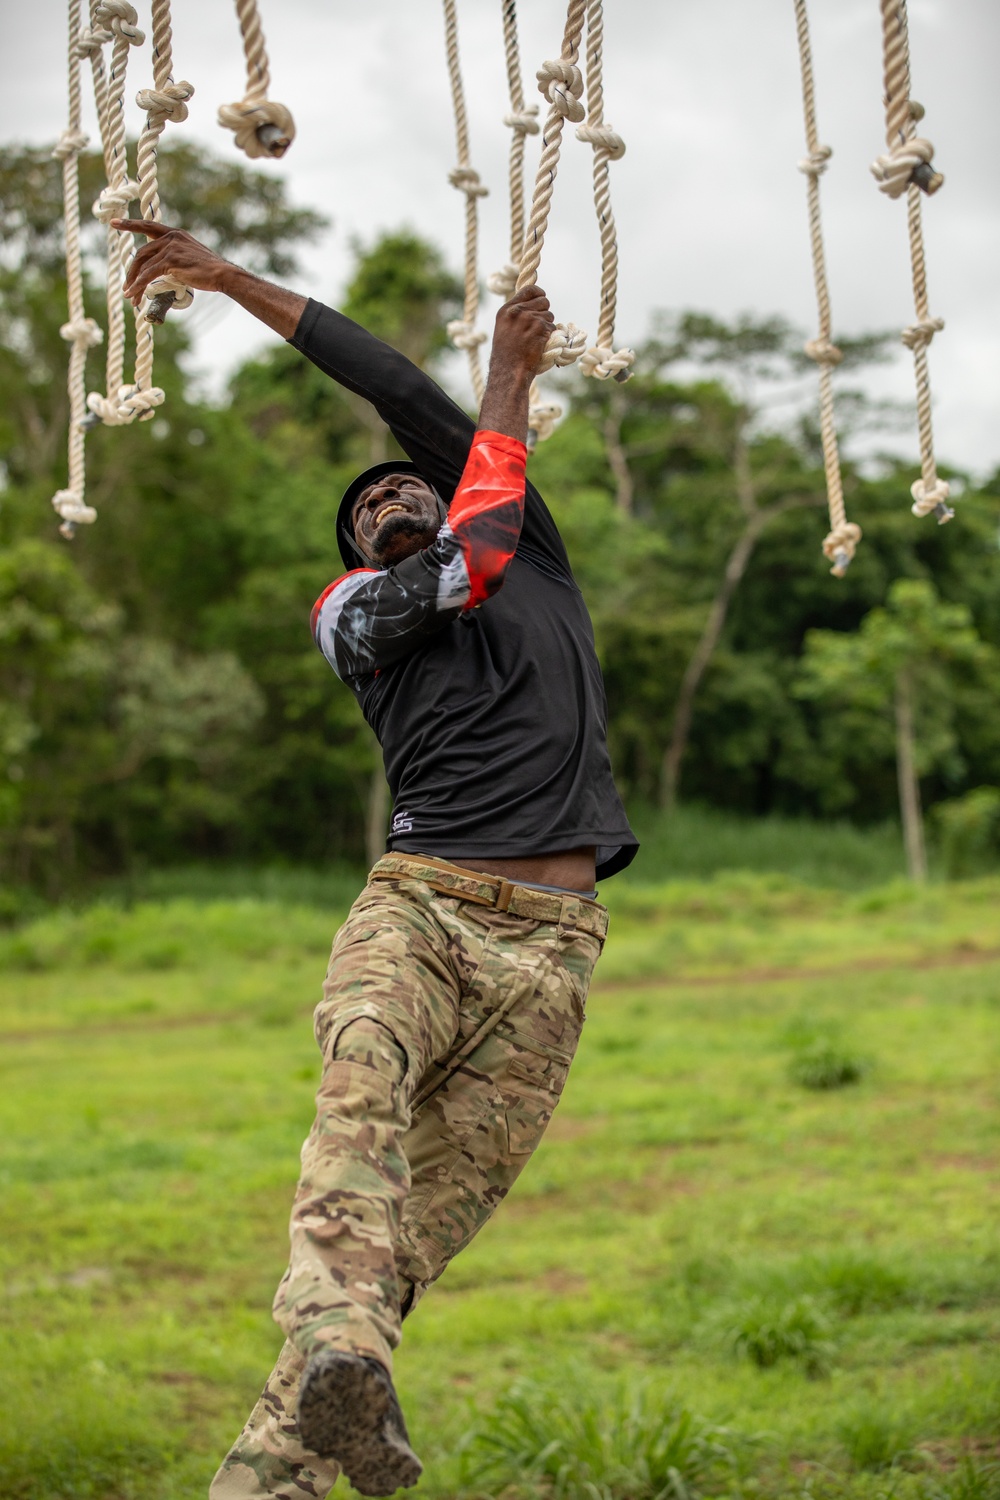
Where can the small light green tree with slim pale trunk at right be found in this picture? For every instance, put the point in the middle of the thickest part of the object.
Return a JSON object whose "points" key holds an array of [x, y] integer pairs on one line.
{"points": [[902, 670]]}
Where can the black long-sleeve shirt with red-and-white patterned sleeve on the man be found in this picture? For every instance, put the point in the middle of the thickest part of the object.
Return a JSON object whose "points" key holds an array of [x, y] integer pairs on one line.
{"points": [[473, 661]]}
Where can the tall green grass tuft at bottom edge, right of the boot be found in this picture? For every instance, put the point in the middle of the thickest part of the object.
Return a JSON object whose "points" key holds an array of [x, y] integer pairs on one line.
{"points": [[633, 1447]]}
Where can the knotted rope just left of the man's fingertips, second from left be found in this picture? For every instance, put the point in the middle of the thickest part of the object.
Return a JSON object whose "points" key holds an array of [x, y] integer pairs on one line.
{"points": [[118, 22]]}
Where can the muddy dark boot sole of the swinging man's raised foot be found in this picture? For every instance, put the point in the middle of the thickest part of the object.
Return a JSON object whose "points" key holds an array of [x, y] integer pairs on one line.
{"points": [[349, 1411]]}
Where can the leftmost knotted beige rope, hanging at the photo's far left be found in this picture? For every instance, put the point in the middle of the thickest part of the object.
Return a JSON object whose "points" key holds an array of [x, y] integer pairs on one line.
{"points": [[82, 334]]}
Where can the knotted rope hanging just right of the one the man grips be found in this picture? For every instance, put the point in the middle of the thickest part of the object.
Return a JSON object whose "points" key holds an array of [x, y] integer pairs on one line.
{"points": [[603, 361]]}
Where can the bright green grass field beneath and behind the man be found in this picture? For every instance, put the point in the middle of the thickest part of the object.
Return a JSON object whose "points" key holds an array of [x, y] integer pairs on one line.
{"points": [[756, 1256]]}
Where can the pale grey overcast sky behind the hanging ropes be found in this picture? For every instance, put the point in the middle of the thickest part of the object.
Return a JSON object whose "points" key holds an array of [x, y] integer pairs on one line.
{"points": [[710, 205]]}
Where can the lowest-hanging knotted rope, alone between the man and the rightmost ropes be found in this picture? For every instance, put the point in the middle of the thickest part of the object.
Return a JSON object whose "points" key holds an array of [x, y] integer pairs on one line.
{"points": [[845, 535]]}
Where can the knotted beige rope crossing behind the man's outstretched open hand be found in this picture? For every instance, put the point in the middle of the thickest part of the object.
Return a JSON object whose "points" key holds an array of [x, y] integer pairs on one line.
{"points": [[164, 101]]}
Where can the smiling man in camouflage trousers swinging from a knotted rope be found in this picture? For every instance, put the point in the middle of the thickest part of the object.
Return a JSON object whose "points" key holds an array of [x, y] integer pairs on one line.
{"points": [[455, 994]]}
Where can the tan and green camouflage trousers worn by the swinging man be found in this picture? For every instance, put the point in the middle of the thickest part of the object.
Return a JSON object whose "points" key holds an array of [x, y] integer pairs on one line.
{"points": [[452, 1012]]}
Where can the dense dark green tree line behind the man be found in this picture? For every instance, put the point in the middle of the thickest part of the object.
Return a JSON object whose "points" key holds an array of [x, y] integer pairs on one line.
{"points": [[161, 697]]}
